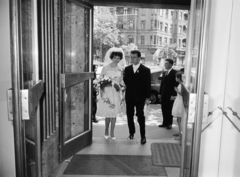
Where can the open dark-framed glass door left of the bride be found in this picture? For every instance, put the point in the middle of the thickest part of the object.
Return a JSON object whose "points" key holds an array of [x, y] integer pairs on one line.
{"points": [[75, 78]]}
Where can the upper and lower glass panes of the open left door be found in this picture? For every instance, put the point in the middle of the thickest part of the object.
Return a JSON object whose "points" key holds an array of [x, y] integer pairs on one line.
{"points": [[76, 106]]}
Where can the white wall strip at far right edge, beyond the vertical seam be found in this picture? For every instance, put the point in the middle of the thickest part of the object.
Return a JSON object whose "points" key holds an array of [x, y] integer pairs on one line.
{"points": [[229, 164]]}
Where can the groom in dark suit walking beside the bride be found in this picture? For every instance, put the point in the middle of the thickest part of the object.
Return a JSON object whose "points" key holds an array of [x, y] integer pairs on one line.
{"points": [[137, 79]]}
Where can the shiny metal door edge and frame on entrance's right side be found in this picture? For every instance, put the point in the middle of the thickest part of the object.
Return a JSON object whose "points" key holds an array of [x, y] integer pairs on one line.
{"points": [[199, 85]]}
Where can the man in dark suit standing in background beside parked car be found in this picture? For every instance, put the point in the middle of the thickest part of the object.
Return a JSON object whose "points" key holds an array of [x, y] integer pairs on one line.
{"points": [[167, 93]]}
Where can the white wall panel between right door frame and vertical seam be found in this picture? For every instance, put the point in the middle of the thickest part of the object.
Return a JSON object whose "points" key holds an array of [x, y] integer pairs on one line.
{"points": [[215, 85]]}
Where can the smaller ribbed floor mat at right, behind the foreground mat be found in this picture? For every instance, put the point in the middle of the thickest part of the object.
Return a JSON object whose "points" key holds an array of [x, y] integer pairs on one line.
{"points": [[167, 154]]}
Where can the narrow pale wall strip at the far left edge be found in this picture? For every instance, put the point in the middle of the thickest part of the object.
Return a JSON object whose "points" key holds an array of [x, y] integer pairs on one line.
{"points": [[7, 157]]}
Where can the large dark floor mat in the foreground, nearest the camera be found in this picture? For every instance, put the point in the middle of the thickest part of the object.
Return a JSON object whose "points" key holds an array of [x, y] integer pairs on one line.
{"points": [[113, 165]]}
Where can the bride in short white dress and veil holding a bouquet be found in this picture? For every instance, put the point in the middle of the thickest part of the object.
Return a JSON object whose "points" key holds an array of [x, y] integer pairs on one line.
{"points": [[110, 84]]}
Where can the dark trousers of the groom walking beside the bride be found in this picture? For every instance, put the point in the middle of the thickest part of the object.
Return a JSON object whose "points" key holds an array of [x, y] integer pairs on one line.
{"points": [[139, 105]]}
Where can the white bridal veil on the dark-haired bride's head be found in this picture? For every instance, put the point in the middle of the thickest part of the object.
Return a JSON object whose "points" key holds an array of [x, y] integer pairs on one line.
{"points": [[108, 60]]}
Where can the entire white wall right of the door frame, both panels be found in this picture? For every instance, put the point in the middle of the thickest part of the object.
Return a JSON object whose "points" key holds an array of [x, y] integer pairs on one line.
{"points": [[219, 156]]}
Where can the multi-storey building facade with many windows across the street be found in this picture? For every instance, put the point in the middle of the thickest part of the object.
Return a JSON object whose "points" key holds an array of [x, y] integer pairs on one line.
{"points": [[152, 29]]}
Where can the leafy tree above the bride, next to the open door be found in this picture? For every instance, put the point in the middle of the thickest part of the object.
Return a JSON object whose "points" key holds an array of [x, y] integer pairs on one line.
{"points": [[105, 32]]}
